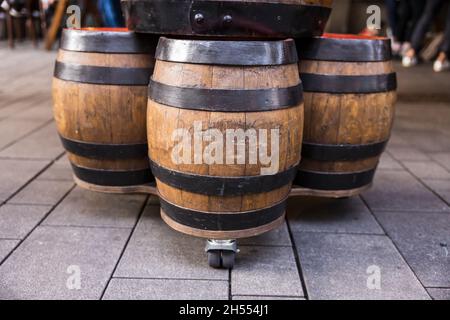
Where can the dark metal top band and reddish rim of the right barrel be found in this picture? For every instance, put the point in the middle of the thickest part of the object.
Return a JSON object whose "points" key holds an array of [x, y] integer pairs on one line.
{"points": [[345, 48]]}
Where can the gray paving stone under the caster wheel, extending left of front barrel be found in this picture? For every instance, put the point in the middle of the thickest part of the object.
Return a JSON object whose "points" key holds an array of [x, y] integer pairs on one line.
{"points": [[156, 251]]}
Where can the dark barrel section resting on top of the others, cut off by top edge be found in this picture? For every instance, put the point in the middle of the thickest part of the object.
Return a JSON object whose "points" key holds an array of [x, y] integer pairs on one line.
{"points": [[229, 18]]}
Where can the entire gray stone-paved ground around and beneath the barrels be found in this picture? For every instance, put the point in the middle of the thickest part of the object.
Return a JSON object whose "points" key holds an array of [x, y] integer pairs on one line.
{"points": [[52, 231]]}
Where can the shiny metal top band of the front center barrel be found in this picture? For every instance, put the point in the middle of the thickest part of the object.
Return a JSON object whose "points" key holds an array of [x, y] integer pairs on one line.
{"points": [[218, 52]]}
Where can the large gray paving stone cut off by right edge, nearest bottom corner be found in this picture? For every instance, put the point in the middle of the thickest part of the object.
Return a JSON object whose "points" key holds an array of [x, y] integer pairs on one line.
{"points": [[424, 241]]}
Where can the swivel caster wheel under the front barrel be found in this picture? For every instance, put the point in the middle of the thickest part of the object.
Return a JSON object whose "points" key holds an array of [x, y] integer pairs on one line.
{"points": [[221, 253]]}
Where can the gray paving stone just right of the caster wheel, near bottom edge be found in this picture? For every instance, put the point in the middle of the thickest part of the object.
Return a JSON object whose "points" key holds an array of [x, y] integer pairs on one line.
{"points": [[266, 271]]}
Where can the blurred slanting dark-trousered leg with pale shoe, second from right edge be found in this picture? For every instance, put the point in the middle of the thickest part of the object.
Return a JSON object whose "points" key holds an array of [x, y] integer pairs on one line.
{"points": [[418, 36]]}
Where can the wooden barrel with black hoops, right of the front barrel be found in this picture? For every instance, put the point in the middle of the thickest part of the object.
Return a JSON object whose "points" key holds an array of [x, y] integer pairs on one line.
{"points": [[350, 95]]}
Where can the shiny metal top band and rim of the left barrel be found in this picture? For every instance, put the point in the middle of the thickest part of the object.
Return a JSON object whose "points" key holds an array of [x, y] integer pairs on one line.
{"points": [[107, 40]]}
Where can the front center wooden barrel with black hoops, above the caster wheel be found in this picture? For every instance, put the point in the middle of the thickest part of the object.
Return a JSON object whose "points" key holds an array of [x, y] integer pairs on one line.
{"points": [[225, 125]]}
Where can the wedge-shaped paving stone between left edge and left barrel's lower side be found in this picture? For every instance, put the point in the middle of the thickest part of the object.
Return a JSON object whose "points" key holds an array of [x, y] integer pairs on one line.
{"points": [[42, 144]]}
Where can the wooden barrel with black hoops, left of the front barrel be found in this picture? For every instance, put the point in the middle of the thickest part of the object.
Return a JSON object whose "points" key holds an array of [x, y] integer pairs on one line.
{"points": [[100, 90]]}
